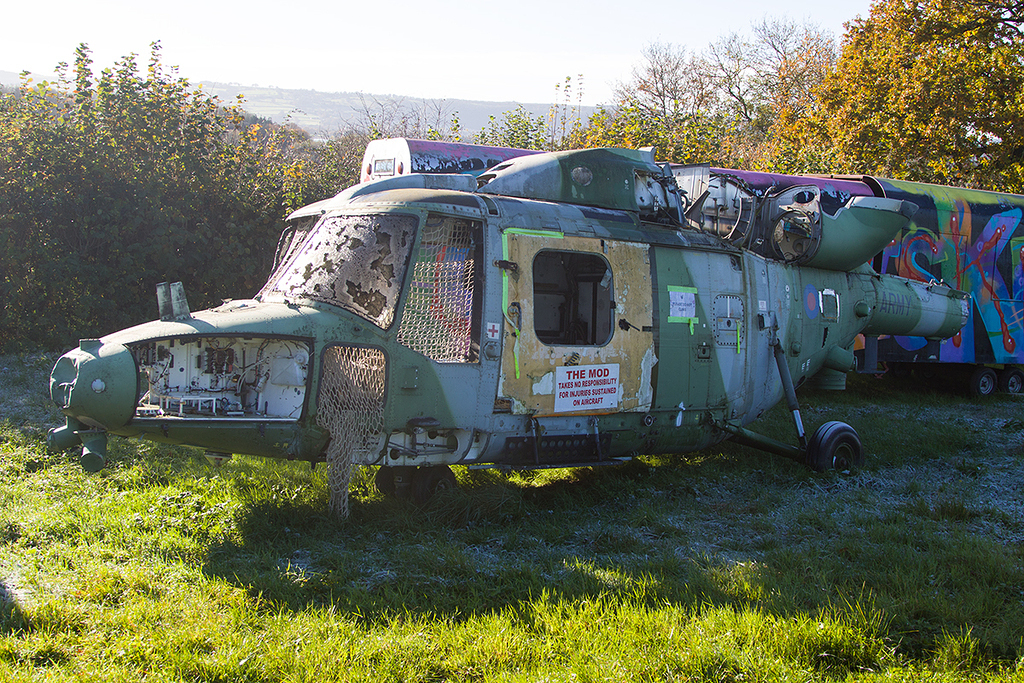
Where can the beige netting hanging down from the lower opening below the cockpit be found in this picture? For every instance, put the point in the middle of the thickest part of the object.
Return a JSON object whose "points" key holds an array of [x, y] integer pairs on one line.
{"points": [[351, 407]]}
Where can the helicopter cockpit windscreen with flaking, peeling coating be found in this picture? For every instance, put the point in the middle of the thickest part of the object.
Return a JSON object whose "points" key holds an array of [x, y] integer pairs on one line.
{"points": [[356, 263]]}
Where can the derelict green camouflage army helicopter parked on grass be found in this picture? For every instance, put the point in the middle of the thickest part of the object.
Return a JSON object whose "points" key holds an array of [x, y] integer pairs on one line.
{"points": [[560, 310]]}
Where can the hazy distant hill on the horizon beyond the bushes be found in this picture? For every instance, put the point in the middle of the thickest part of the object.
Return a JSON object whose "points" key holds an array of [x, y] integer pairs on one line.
{"points": [[328, 113]]}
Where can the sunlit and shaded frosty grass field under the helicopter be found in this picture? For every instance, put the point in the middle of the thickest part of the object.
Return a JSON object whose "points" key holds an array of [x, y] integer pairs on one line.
{"points": [[721, 566]]}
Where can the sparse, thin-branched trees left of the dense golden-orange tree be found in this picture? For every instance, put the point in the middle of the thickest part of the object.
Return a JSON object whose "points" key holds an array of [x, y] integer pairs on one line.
{"points": [[720, 106]]}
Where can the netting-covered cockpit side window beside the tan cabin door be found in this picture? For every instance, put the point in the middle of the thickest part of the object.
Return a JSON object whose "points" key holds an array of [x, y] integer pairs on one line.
{"points": [[439, 315]]}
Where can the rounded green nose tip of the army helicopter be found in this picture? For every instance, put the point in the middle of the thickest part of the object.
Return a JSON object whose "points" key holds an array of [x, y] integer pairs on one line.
{"points": [[97, 385]]}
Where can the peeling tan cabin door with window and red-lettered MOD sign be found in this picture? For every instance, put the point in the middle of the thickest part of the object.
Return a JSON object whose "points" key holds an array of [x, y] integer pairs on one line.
{"points": [[579, 336]]}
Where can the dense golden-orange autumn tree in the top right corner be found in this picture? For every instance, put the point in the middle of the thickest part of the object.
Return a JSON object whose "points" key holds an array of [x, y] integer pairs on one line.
{"points": [[931, 91]]}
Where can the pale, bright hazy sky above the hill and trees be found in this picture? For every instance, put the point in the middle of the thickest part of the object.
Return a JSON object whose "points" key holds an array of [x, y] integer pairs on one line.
{"points": [[505, 52]]}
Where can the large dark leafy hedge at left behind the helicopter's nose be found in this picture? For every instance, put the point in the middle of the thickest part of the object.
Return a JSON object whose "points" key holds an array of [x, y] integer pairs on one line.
{"points": [[110, 185]]}
